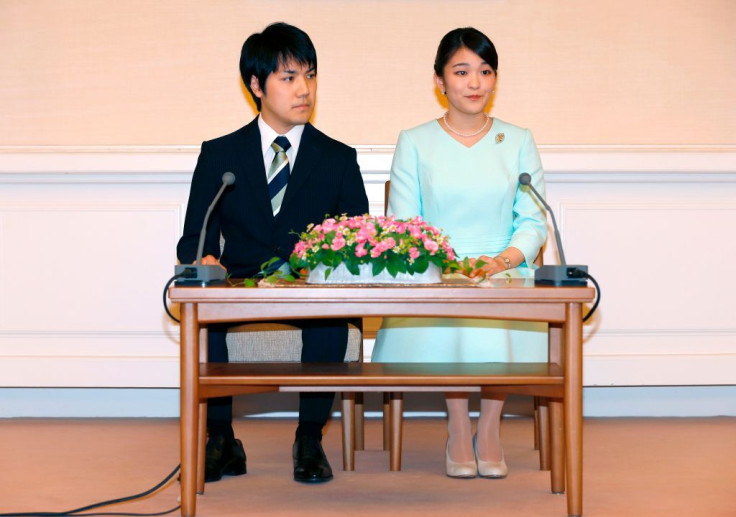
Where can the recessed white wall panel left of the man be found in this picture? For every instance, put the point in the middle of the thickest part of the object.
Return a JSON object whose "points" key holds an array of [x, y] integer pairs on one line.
{"points": [[81, 261]]}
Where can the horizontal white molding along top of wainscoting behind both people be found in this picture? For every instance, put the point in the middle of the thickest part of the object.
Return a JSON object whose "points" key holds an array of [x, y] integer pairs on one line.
{"points": [[174, 164]]}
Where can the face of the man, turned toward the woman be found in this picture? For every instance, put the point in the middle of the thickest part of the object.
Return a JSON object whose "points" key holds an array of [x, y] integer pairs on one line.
{"points": [[289, 96]]}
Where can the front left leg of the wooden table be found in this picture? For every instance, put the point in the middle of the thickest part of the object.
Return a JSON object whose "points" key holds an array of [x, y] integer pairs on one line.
{"points": [[189, 400]]}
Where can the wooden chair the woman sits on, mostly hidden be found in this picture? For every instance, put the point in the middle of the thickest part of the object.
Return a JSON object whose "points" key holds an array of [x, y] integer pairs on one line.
{"points": [[393, 405]]}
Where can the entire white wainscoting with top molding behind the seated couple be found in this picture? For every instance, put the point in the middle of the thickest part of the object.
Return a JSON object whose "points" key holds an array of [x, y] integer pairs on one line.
{"points": [[88, 235]]}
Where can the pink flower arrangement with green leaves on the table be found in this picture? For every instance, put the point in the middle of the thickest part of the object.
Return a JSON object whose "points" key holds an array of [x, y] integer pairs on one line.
{"points": [[395, 245]]}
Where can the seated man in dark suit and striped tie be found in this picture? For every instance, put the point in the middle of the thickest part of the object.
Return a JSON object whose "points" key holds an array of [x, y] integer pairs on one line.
{"points": [[288, 174]]}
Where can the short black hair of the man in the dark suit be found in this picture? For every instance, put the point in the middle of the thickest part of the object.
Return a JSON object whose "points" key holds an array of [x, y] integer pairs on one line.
{"points": [[278, 44]]}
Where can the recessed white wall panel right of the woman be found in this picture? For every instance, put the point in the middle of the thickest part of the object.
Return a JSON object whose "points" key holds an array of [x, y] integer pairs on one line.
{"points": [[651, 255]]}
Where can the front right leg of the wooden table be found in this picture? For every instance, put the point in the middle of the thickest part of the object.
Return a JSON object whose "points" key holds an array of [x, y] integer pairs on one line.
{"points": [[574, 408]]}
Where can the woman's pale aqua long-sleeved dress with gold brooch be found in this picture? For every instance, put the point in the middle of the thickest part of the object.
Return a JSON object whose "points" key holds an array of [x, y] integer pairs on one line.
{"points": [[473, 195]]}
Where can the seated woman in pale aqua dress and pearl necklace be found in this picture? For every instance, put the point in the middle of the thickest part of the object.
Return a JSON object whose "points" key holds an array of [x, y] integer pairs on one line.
{"points": [[460, 172]]}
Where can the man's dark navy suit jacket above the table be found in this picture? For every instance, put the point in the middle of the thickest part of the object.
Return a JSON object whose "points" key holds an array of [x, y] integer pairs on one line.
{"points": [[325, 180]]}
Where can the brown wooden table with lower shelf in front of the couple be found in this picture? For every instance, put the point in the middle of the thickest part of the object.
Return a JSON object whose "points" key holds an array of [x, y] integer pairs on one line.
{"points": [[517, 299]]}
